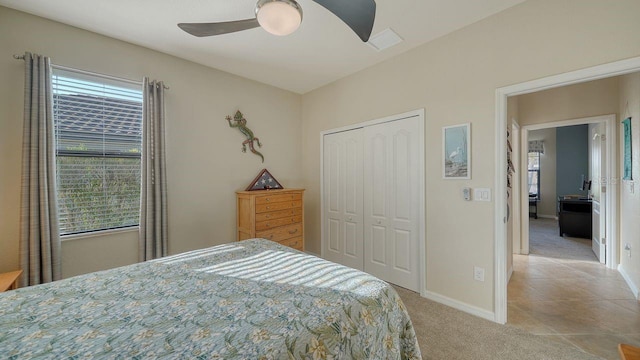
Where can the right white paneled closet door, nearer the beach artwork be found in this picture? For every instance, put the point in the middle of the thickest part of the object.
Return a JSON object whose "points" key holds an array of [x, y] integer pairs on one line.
{"points": [[392, 201]]}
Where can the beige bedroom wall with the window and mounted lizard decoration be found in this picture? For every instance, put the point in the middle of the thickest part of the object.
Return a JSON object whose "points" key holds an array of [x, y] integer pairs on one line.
{"points": [[204, 161]]}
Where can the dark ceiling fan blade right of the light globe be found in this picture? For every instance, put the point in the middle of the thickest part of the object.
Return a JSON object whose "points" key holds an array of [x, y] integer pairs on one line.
{"points": [[357, 14]]}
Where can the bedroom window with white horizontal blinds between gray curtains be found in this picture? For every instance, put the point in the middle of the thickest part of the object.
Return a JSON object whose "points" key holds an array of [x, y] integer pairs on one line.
{"points": [[98, 132]]}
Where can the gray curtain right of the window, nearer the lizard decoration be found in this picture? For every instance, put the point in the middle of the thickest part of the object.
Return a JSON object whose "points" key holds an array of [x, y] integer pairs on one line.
{"points": [[153, 242]]}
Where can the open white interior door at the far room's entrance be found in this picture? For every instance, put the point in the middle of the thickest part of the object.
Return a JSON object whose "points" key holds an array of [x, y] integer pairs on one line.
{"points": [[598, 191]]}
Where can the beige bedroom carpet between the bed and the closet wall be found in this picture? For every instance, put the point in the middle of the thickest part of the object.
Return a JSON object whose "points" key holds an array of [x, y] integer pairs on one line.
{"points": [[446, 333]]}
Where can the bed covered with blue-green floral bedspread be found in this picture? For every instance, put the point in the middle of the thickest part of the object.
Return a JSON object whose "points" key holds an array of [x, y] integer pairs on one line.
{"points": [[253, 299]]}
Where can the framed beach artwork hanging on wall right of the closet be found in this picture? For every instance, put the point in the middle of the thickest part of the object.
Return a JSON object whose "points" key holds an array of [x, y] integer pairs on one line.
{"points": [[456, 152]]}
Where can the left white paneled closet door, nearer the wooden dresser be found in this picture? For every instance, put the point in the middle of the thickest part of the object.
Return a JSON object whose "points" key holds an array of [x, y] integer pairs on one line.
{"points": [[342, 178]]}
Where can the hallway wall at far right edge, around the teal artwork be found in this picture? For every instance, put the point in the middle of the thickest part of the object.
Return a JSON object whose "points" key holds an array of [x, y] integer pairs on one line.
{"points": [[630, 200]]}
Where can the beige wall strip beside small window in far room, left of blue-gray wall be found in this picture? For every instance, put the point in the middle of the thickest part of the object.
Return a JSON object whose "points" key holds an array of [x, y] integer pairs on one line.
{"points": [[547, 204]]}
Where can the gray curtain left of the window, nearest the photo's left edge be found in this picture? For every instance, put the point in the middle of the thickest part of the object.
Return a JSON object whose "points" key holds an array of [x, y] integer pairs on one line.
{"points": [[39, 233]]}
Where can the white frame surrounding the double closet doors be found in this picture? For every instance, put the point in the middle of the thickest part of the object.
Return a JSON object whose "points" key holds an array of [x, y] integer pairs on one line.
{"points": [[422, 246]]}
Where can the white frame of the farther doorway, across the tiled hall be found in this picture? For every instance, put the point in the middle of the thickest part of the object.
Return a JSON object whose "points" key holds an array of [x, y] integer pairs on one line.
{"points": [[611, 203]]}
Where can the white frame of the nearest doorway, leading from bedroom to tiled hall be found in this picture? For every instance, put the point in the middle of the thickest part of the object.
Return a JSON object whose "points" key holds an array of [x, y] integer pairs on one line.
{"points": [[500, 227]]}
